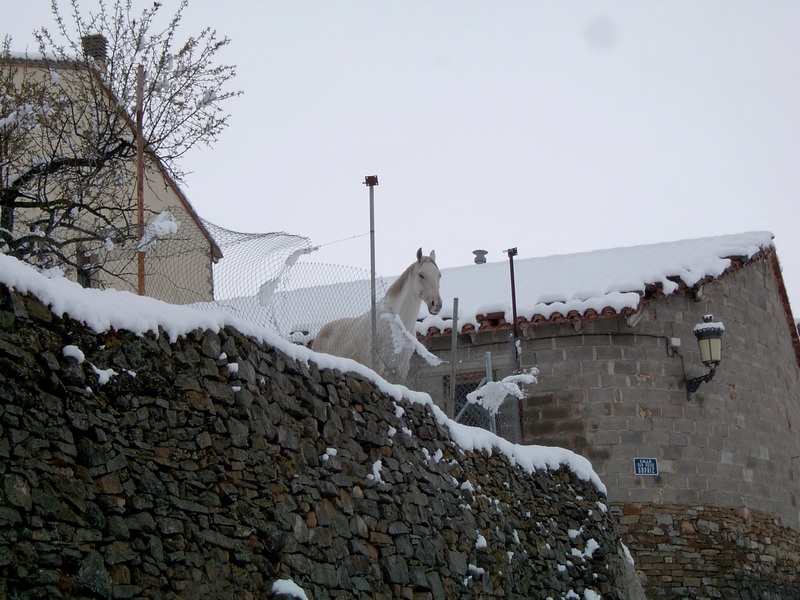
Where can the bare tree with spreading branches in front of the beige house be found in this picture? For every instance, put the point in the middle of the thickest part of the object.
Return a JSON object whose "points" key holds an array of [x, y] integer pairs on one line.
{"points": [[67, 129]]}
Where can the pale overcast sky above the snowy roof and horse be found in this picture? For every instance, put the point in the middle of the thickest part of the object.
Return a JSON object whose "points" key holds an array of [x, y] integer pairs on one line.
{"points": [[553, 127]]}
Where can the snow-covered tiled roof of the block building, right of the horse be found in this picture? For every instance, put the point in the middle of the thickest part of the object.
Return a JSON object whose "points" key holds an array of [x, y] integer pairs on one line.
{"points": [[602, 281]]}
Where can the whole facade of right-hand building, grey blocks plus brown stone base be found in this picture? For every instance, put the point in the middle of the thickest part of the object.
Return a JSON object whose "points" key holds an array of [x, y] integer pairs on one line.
{"points": [[611, 387]]}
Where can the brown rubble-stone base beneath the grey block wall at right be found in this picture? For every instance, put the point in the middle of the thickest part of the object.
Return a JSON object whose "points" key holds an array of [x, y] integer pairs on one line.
{"points": [[705, 552]]}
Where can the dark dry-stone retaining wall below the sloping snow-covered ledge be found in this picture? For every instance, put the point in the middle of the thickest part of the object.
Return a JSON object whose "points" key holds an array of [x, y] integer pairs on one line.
{"points": [[211, 467]]}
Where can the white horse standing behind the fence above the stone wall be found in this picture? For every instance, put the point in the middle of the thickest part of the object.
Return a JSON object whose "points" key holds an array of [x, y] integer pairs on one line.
{"points": [[397, 313]]}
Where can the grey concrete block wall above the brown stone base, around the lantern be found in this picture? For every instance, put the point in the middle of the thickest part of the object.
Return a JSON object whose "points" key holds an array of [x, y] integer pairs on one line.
{"points": [[612, 389]]}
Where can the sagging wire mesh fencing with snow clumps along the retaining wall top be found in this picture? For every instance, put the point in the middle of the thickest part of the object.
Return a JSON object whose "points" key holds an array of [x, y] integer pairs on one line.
{"points": [[265, 278]]}
